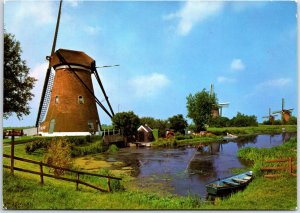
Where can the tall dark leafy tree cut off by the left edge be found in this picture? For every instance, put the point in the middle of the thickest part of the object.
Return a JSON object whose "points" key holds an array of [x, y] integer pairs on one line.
{"points": [[17, 83]]}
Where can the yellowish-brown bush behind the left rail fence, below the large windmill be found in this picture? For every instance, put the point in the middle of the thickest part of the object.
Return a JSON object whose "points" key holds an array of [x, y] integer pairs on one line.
{"points": [[59, 154]]}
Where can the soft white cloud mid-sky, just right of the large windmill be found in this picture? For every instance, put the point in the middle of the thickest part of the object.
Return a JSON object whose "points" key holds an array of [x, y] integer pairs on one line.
{"points": [[148, 85]]}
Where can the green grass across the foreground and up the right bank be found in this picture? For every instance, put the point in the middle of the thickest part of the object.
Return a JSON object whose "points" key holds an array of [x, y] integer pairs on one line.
{"points": [[23, 191]]}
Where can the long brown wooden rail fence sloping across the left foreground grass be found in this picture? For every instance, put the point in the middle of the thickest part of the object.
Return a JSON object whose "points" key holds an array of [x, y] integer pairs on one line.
{"points": [[42, 174]]}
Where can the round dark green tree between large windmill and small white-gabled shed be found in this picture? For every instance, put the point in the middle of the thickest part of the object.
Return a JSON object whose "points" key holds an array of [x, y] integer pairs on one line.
{"points": [[127, 122]]}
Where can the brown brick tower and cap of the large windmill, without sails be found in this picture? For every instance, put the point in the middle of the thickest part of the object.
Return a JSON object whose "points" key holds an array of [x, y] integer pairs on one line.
{"points": [[72, 108]]}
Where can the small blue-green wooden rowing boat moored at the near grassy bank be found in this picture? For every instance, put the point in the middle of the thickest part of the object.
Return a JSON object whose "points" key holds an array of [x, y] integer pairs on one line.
{"points": [[229, 184]]}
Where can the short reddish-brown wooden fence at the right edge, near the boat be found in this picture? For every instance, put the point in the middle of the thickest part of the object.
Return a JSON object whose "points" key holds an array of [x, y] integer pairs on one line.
{"points": [[290, 168]]}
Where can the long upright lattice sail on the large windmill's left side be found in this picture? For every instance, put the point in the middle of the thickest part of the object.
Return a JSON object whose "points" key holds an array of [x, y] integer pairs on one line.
{"points": [[46, 92]]}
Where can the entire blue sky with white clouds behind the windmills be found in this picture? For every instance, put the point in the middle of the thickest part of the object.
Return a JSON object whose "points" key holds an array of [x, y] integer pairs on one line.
{"points": [[167, 50]]}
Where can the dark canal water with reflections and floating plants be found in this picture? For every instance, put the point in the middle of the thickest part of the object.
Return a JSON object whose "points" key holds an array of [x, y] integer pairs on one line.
{"points": [[186, 170]]}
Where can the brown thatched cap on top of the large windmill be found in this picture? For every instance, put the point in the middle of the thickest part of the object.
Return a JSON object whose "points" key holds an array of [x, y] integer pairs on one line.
{"points": [[72, 57]]}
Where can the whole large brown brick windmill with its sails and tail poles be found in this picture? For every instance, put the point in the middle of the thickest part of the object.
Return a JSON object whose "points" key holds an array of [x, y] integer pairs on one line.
{"points": [[68, 100]]}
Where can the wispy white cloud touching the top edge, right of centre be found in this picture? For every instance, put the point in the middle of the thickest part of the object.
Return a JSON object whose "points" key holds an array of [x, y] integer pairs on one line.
{"points": [[194, 12]]}
